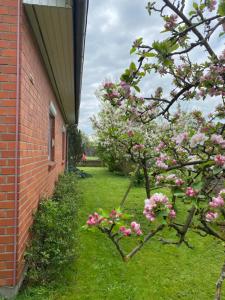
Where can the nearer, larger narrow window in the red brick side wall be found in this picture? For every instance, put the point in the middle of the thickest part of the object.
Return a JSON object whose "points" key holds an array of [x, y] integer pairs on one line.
{"points": [[51, 133]]}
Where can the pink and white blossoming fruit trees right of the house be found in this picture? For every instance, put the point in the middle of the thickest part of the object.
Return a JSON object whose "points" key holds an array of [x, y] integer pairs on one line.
{"points": [[188, 160]]}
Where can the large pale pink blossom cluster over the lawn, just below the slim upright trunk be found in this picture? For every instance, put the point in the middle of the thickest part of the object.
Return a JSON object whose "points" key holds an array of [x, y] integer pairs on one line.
{"points": [[157, 203]]}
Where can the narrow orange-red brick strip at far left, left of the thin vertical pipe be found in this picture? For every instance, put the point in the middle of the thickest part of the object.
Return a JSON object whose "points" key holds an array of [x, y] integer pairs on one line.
{"points": [[8, 45]]}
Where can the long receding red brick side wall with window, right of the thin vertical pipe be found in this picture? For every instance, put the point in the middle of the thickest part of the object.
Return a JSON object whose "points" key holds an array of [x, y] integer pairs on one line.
{"points": [[36, 178]]}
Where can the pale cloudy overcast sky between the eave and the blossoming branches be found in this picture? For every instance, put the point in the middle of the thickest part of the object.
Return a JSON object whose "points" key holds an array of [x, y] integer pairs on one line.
{"points": [[112, 27]]}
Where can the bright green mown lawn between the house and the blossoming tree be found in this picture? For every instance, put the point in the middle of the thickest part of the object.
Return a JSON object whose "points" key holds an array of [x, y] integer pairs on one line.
{"points": [[157, 272]]}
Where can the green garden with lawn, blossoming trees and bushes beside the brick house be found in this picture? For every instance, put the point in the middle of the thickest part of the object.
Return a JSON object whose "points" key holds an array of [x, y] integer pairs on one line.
{"points": [[152, 224]]}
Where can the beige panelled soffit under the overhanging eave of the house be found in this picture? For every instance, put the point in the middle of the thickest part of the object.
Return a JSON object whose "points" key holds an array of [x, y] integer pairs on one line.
{"points": [[52, 23]]}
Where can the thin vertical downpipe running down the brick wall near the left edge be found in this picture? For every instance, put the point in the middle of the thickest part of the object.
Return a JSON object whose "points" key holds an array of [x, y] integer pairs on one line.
{"points": [[17, 143]]}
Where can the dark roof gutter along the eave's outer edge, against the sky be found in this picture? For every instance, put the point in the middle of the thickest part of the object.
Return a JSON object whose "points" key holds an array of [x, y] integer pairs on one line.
{"points": [[80, 12]]}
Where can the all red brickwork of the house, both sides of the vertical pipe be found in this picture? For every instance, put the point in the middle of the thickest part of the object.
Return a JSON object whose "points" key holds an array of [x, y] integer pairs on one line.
{"points": [[35, 178]]}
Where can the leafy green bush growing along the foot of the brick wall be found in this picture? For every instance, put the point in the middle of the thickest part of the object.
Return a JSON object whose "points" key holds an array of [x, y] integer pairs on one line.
{"points": [[53, 233]]}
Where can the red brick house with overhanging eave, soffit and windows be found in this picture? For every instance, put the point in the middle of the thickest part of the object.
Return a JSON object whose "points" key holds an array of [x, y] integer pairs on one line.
{"points": [[41, 56]]}
